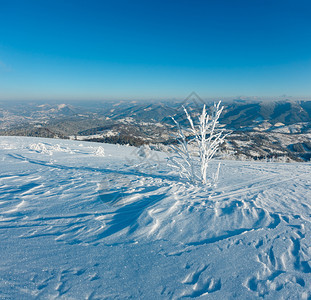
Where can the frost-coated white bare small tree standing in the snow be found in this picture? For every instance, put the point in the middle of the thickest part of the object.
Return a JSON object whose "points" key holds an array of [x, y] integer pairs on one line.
{"points": [[193, 164]]}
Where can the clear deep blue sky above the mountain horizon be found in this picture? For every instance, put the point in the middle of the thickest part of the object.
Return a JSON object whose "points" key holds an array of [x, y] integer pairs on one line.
{"points": [[71, 49]]}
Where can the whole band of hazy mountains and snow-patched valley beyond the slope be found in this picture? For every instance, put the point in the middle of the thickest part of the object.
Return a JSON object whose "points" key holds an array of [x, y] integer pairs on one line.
{"points": [[260, 129]]}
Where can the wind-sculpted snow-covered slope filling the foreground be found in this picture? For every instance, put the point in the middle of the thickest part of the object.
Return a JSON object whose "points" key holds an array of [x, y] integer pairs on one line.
{"points": [[82, 220]]}
